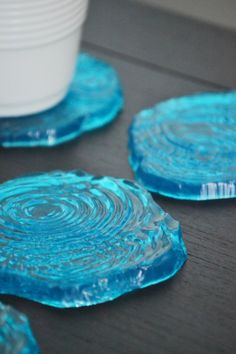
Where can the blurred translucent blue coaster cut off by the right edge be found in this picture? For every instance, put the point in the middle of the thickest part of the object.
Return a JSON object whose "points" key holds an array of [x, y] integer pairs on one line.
{"points": [[185, 147]]}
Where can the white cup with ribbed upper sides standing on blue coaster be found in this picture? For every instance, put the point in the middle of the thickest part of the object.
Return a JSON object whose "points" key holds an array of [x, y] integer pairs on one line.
{"points": [[37, 64]]}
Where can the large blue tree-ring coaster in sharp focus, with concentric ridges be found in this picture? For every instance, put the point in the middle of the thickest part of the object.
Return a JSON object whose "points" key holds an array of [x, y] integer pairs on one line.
{"points": [[69, 239]]}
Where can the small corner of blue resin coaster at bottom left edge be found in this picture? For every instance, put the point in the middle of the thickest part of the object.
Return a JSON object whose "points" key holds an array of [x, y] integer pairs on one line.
{"points": [[15, 333]]}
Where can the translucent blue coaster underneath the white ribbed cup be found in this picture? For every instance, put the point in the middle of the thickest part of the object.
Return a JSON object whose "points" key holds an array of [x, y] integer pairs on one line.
{"points": [[94, 99]]}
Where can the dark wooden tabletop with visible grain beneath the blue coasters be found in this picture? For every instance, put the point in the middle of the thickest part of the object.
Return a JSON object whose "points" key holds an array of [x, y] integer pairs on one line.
{"points": [[158, 55]]}
